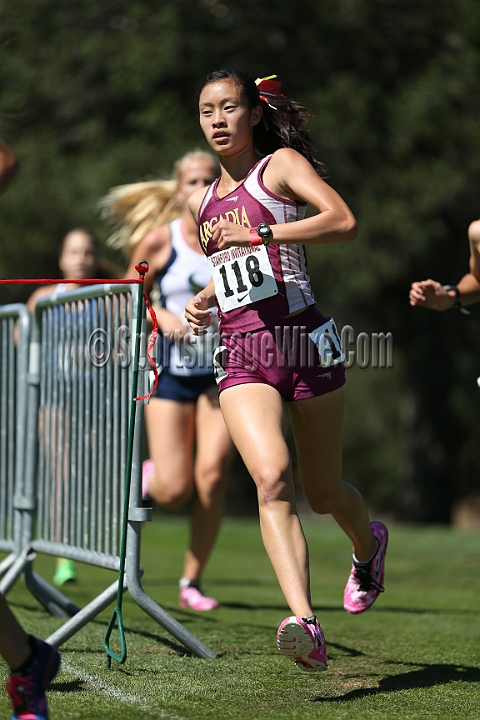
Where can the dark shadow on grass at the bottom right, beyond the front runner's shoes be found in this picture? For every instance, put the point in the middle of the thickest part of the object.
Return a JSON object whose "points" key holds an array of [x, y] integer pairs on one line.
{"points": [[424, 677]]}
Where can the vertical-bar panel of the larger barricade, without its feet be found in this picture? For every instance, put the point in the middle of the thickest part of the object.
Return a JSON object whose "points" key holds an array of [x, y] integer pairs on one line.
{"points": [[85, 386]]}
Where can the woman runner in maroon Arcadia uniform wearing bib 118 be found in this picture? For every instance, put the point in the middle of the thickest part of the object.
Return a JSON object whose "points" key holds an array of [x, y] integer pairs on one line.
{"points": [[276, 345]]}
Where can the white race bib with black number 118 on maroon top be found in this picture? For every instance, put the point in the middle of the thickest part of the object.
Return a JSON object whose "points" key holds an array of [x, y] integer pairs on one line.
{"points": [[242, 275]]}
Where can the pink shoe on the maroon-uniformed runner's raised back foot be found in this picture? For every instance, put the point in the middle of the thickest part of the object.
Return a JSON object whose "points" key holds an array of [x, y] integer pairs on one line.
{"points": [[366, 581]]}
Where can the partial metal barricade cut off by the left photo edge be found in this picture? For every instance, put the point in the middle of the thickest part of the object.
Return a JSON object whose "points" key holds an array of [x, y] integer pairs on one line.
{"points": [[14, 343]]}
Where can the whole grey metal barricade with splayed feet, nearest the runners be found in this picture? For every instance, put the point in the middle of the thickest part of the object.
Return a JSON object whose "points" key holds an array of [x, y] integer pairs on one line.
{"points": [[79, 393]]}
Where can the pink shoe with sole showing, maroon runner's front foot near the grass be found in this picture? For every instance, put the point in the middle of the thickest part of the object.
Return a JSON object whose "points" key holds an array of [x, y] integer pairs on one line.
{"points": [[303, 643]]}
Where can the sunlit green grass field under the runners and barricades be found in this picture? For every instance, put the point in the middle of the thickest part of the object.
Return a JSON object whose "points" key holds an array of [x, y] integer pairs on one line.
{"points": [[415, 654]]}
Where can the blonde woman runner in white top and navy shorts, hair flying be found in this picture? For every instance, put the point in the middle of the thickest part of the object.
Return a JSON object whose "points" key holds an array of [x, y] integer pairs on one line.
{"points": [[154, 224]]}
